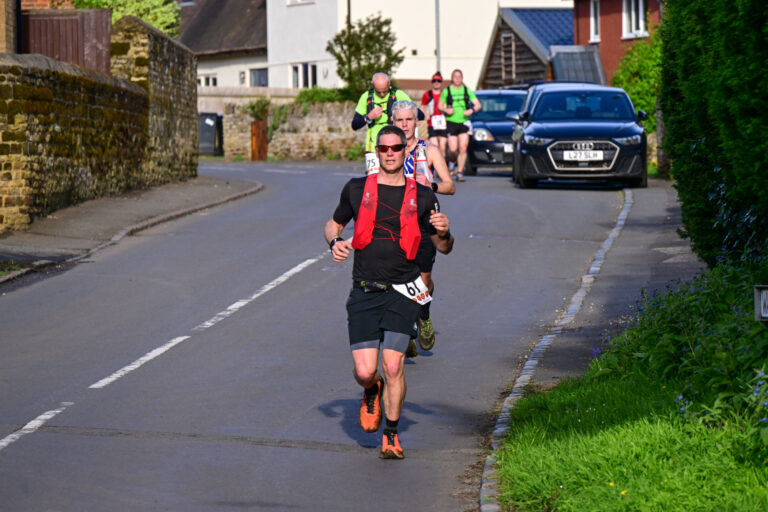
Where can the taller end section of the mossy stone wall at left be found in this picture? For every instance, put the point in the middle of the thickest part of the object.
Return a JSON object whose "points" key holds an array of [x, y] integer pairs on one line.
{"points": [[167, 70]]}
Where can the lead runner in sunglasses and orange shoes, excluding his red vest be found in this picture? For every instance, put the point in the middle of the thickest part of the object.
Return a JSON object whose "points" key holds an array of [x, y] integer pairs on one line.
{"points": [[381, 318]]}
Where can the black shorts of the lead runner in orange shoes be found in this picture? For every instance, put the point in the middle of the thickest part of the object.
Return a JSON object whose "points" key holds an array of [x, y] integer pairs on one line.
{"points": [[369, 314]]}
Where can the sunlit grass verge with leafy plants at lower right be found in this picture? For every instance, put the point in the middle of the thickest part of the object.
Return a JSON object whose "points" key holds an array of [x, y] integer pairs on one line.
{"points": [[672, 417]]}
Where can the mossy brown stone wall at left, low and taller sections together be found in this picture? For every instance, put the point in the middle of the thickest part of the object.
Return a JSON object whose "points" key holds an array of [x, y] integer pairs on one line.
{"points": [[68, 134]]}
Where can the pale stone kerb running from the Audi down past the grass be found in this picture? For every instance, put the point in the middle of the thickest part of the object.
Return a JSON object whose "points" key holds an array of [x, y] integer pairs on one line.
{"points": [[490, 482]]}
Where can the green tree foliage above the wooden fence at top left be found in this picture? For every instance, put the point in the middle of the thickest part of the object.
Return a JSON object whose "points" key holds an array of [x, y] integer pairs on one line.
{"points": [[161, 14]]}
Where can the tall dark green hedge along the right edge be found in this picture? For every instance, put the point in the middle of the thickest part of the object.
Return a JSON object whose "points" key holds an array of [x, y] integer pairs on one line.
{"points": [[714, 94]]}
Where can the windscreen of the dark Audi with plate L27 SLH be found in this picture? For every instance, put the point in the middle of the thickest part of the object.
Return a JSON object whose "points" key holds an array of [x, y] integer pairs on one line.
{"points": [[599, 105]]}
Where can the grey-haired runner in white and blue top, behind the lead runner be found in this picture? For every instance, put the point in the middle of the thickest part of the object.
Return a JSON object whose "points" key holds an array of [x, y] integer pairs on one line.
{"points": [[405, 117]]}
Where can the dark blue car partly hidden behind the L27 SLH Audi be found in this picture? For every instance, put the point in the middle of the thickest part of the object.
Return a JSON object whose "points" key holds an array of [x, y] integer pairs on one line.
{"points": [[490, 143]]}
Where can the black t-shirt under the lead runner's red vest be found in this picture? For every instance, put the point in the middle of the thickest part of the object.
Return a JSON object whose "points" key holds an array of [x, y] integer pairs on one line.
{"points": [[383, 259]]}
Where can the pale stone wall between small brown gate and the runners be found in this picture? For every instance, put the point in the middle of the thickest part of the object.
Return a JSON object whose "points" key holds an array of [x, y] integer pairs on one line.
{"points": [[323, 131]]}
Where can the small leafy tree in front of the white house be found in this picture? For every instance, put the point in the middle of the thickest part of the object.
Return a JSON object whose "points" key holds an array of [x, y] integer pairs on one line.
{"points": [[365, 48]]}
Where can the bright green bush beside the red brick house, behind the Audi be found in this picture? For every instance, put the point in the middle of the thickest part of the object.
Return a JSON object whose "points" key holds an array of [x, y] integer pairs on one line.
{"points": [[639, 74]]}
